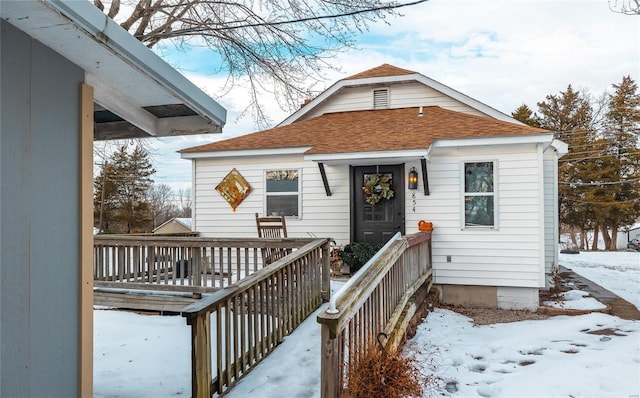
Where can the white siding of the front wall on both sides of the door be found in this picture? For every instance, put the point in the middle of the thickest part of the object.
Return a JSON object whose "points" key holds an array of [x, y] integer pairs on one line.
{"points": [[509, 255]]}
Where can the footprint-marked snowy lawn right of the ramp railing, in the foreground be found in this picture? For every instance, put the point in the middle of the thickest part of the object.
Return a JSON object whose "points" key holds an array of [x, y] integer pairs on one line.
{"points": [[548, 358]]}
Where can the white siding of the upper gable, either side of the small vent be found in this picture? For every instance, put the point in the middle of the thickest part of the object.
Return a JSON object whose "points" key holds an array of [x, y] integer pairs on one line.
{"points": [[400, 96]]}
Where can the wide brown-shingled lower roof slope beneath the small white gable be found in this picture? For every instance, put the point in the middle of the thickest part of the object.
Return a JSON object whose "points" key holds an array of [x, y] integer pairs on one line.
{"points": [[371, 130]]}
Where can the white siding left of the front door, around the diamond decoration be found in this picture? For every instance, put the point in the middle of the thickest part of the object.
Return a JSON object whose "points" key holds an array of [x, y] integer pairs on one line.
{"points": [[320, 215]]}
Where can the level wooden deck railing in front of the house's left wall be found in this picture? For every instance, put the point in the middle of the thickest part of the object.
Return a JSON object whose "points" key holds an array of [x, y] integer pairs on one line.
{"points": [[178, 270]]}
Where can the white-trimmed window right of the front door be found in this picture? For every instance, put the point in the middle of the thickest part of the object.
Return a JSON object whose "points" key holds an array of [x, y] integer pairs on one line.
{"points": [[479, 194]]}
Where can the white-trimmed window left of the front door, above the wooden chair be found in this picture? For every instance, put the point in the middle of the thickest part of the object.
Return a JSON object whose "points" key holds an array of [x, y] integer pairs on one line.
{"points": [[282, 192]]}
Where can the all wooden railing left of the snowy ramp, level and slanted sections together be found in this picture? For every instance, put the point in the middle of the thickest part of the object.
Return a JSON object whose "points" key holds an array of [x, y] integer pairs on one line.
{"points": [[252, 307]]}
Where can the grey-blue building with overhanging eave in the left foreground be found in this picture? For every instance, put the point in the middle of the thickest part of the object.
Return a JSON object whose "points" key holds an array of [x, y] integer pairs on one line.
{"points": [[69, 75]]}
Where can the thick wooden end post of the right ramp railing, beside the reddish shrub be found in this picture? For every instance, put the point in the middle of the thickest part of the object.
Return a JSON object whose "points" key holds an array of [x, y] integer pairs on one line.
{"points": [[330, 364]]}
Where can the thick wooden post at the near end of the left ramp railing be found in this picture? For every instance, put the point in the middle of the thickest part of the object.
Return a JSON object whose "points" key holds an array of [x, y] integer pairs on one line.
{"points": [[200, 356]]}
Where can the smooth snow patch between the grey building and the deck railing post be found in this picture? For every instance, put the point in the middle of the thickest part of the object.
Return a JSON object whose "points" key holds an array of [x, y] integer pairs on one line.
{"points": [[140, 355]]}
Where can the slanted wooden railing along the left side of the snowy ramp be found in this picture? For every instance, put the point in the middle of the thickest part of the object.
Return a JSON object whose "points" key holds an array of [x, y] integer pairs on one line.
{"points": [[233, 329]]}
